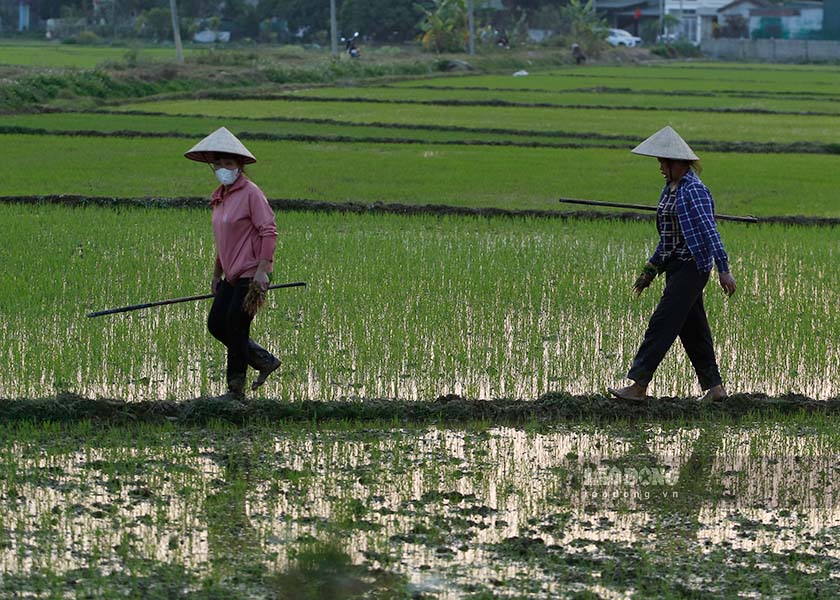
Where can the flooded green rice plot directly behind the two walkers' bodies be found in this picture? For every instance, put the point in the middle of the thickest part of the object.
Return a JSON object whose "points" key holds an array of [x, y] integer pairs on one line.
{"points": [[400, 307]]}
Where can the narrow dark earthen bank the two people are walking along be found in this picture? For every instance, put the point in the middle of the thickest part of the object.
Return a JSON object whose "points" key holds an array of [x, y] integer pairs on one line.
{"points": [[555, 406]]}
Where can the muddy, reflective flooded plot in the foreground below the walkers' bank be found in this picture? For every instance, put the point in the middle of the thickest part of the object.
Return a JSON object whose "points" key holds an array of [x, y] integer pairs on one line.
{"points": [[510, 511]]}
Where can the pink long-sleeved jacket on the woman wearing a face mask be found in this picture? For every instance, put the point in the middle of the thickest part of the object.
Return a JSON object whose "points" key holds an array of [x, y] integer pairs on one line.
{"points": [[243, 225]]}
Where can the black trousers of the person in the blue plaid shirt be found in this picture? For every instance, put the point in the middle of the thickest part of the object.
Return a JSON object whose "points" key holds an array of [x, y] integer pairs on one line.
{"points": [[680, 313]]}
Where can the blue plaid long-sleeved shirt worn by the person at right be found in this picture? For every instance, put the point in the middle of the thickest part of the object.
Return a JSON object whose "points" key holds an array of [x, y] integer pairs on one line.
{"points": [[695, 211]]}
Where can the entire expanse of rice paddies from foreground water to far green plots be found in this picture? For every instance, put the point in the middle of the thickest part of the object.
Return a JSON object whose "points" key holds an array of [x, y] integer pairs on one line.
{"points": [[455, 314]]}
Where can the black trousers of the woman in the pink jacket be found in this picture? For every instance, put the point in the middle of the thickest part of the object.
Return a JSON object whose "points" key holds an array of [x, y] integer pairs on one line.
{"points": [[230, 324]]}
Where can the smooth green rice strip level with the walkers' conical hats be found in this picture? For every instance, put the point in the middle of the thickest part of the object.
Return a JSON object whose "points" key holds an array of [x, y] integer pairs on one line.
{"points": [[517, 178]]}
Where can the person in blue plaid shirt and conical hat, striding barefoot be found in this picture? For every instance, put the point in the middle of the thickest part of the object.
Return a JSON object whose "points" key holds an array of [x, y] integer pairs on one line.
{"points": [[689, 244]]}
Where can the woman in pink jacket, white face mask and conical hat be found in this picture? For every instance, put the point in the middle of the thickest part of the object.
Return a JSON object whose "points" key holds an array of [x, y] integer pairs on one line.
{"points": [[245, 234]]}
